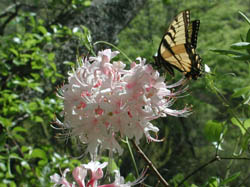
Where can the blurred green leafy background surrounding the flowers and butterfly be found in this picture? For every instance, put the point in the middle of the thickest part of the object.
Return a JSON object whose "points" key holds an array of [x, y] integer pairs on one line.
{"points": [[39, 44]]}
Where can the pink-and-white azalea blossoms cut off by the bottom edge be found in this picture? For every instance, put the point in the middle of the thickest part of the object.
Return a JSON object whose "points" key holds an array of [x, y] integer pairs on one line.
{"points": [[80, 174]]}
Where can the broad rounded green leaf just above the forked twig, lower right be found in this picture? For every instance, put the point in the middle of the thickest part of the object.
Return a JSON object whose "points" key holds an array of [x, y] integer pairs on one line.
{"points": [[213, 130]]}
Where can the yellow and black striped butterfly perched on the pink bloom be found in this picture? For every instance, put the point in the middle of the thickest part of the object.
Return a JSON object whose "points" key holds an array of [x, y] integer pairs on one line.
{"points": [[177, 47]]}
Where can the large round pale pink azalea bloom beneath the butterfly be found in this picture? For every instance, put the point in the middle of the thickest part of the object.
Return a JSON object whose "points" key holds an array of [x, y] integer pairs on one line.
{"points": [[103, 101]]}
